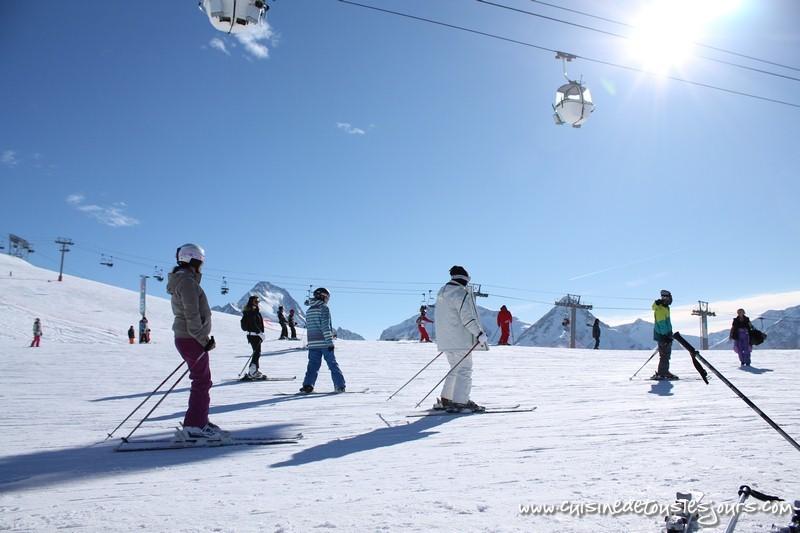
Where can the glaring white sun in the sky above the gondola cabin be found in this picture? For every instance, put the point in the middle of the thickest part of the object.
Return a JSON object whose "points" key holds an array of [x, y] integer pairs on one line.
{"points": [[666, 30]]}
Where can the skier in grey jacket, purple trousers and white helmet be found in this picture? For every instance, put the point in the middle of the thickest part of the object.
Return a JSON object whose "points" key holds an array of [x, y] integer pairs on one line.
{"points": [[193, 339]]}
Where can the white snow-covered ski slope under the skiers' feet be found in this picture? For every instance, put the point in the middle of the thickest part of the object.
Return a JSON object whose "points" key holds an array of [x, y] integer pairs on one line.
{"points": [[595, 437]]}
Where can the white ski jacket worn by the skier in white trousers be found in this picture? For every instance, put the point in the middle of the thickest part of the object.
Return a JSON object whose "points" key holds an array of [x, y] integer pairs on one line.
{"points": [[457, 321]]}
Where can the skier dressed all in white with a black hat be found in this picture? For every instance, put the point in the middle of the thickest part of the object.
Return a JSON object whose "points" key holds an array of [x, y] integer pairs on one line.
{"points": [[458, 333]]}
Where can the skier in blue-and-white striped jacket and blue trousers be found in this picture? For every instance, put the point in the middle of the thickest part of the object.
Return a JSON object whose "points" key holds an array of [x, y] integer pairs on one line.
{"points": [[319, 335]]}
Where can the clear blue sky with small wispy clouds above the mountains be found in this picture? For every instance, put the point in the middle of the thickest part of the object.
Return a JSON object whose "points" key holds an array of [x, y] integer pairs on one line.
{"points": [[371, 148]]}
